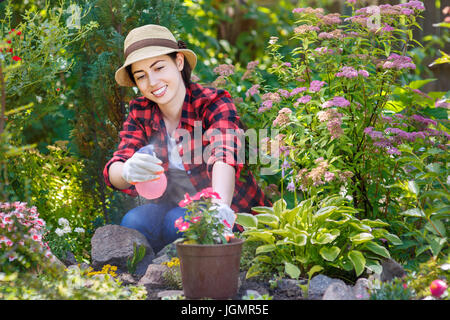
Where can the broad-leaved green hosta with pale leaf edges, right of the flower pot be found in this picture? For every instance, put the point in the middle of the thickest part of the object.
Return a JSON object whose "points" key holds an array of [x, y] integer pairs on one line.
{"points": [[316, 232]]}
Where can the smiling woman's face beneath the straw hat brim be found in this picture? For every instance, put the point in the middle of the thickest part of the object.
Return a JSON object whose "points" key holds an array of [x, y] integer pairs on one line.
{"points": [[159, 79]]}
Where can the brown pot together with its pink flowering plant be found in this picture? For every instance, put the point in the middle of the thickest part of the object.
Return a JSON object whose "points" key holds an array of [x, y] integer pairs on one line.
{"points": [[209, 254]]}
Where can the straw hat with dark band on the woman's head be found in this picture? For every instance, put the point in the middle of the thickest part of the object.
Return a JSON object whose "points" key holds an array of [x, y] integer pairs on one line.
{"points": [[147, 42]]}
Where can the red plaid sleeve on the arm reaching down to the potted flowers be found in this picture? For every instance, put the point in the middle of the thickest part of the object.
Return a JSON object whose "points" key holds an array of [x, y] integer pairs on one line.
{"points": [[224, 134]]}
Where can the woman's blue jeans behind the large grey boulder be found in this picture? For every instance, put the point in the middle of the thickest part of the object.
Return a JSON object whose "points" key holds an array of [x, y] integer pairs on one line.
{"points": [[156, 222]]}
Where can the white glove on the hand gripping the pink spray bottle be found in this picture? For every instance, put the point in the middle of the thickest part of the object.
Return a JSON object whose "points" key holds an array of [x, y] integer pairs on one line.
{"points": [[142, 167]]}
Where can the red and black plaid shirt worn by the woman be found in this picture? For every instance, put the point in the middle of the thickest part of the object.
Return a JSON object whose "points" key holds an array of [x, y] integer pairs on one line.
{"points": [[206, 115]]}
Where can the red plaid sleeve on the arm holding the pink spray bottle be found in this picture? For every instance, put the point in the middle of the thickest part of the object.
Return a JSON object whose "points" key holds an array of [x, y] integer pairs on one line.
{"points": [[132, 138]]}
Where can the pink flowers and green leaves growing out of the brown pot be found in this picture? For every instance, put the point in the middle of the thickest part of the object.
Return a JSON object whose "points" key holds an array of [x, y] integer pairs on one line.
{"points": [[201, 225]]}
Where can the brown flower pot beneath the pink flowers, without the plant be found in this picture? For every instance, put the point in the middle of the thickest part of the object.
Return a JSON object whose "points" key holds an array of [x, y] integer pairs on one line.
{"points": [[210, 271]]}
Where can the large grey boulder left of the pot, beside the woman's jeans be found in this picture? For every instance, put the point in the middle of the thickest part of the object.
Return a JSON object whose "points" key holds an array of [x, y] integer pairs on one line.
{"points": [[113, 244]]}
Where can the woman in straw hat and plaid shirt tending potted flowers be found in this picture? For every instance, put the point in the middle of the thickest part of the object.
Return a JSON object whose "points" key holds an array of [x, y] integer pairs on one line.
{"points": [[168, 116]]}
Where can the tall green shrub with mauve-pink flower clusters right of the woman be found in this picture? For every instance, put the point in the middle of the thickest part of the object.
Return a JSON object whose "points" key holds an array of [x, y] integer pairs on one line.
{"points": [[338, 104]]}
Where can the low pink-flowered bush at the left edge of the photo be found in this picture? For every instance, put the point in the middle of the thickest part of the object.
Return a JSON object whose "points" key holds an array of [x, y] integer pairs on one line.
{"points": [[21, 245]]}
